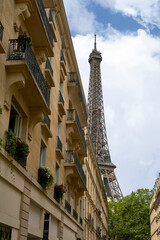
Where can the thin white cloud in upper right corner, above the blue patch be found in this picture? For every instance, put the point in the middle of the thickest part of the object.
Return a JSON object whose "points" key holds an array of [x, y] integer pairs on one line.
{"points": [[145, 12]]}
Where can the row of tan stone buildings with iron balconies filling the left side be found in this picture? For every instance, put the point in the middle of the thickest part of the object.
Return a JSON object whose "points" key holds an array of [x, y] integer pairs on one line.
{"points": [[49, 180]]}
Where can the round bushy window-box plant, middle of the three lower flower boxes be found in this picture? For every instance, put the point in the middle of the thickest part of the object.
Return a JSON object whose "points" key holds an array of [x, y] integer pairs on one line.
{"points": [[45, 177]]}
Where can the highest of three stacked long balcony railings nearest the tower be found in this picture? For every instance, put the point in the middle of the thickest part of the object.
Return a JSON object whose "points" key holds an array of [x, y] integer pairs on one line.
{"points": [[73, 77]]}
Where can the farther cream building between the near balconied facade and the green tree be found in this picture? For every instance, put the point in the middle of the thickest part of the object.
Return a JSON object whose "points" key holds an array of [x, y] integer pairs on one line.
{"points": [[95, 199]]}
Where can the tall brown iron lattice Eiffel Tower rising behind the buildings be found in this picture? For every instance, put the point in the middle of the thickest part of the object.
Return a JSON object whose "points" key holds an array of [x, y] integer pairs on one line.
{"points": [[97, 127]]}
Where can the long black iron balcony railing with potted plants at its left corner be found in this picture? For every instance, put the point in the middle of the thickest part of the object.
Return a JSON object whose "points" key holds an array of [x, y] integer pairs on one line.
{"points": [[19, 49]]}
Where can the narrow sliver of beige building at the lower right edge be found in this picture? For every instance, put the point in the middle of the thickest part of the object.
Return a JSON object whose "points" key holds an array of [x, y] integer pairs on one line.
{"points": [[155, 211]]}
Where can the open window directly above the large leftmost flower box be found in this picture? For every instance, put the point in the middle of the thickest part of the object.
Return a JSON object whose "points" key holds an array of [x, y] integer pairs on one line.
{"points": [[15, 121]]}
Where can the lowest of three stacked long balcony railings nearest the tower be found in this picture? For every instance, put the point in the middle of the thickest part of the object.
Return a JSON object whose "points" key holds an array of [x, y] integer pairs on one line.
{"points": [[71, 157]]}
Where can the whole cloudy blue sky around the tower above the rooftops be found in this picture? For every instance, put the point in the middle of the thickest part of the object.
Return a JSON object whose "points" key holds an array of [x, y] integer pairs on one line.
{"points": [[128, 35]]}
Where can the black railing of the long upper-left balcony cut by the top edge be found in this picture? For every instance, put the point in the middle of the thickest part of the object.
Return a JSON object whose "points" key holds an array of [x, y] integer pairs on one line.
{"points": [[45, 20]]}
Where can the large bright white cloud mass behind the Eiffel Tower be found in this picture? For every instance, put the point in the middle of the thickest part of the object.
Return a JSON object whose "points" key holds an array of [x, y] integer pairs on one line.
{"points": [[131, 85]]}
